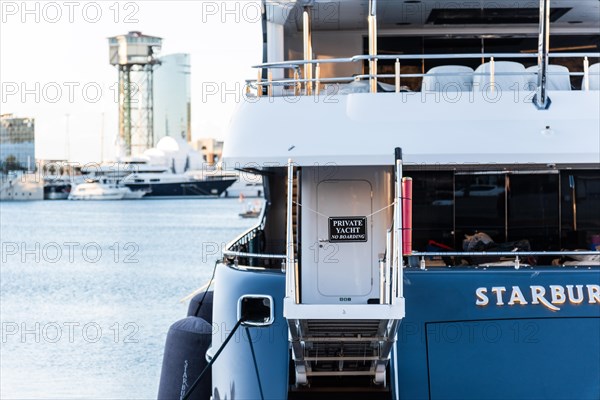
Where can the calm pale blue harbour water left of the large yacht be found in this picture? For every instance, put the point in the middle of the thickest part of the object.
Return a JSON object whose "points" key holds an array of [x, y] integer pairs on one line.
{"points": [[88, 290]]}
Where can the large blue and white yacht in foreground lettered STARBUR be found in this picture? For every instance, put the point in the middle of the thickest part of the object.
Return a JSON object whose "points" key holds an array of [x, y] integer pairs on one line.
{"points": [[431, 174]]}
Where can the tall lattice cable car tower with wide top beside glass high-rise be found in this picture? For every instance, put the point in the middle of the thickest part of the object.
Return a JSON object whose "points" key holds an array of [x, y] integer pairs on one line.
{"points": [[135, 55]]}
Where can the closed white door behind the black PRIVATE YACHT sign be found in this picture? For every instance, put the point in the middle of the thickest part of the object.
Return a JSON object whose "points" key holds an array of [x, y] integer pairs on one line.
{"points": [[345, 250]]}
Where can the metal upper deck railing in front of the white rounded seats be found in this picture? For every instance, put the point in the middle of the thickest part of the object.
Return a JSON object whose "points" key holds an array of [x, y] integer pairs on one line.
{"points": [[297, 85]]}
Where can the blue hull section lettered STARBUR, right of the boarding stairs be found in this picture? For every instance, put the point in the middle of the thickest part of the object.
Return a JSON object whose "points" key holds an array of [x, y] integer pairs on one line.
{"points": [[450, 347]]}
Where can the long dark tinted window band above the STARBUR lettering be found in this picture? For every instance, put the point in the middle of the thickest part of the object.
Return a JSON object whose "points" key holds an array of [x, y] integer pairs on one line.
{"points": [[552, 211]]}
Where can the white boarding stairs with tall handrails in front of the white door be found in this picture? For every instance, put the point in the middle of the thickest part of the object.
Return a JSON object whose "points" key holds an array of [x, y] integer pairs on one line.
{"points": [[346, 339]]}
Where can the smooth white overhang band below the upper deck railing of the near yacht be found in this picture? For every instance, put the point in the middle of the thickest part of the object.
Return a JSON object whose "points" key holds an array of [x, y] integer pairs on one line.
{"points": [[432, 129]]}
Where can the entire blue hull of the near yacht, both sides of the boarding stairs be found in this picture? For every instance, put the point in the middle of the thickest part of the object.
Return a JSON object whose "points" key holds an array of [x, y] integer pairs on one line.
{"points": [[448, 346]]}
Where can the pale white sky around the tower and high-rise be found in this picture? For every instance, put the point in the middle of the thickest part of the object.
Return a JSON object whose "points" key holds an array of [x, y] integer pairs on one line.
{"points": [[54, 58]]}
